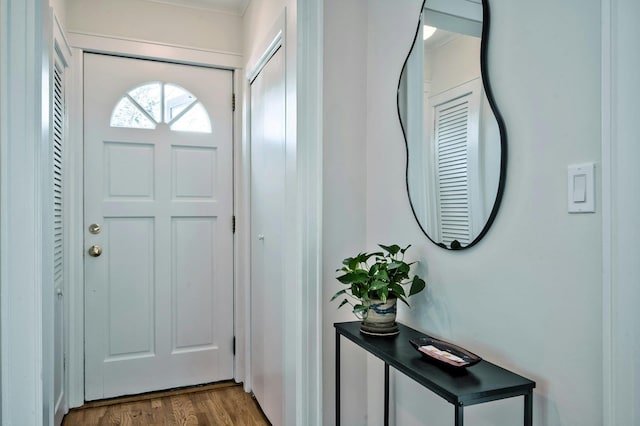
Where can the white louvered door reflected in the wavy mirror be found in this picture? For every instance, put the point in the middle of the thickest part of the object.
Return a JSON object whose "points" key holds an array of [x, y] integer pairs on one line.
{"points": [[455, 156]]}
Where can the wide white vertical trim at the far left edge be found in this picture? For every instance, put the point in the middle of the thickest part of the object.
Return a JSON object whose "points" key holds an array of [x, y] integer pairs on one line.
{"points": [[26, 323]]}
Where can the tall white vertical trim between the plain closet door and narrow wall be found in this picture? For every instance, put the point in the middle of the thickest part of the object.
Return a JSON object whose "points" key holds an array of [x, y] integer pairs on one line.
{"points": [[309, 194]]}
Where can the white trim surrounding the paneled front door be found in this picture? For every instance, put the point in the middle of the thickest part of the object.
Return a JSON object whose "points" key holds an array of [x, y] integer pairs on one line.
{"points": [[75, 299]]}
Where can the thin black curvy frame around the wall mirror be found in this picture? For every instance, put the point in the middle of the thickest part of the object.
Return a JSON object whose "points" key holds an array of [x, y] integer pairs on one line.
{"points": [[484, 42]]}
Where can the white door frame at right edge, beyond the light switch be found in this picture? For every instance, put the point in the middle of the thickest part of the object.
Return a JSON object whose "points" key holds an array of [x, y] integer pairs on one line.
{"points": [[620, 206]]}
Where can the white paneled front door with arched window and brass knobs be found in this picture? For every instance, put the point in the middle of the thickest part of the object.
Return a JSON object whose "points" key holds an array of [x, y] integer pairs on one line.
{"points": [[158, 208]]}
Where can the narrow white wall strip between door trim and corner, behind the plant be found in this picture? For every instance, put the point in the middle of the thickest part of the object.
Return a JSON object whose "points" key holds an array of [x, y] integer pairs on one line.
{"points": [[344, 192]]}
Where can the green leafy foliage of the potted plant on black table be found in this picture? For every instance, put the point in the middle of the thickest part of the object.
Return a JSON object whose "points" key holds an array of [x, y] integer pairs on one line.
{"points": [[378, 275]]}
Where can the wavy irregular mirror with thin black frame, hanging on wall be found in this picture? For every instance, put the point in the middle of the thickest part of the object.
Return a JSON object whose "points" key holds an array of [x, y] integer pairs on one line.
{"points": [[455, 137]]}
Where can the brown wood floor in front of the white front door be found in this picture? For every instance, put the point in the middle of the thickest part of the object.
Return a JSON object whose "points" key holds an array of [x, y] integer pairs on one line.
{"points": [[218, 404]]}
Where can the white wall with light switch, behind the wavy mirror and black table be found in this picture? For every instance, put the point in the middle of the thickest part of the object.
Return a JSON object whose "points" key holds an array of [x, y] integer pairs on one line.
{"points": [[528, 296]]}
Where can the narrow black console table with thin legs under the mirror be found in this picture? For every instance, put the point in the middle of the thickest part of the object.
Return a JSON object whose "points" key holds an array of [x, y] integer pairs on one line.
{"points": [[482, 382]]}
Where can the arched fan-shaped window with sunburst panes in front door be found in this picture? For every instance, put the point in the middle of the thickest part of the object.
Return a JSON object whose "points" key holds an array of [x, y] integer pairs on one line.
{"points": [[147, 105]]}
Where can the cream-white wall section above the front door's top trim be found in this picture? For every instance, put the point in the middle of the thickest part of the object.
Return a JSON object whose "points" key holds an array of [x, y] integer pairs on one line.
{"points": [[157, 22]]}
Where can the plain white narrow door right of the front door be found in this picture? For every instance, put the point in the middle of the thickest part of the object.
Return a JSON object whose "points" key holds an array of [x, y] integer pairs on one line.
{"points": [[267, 213]]}
